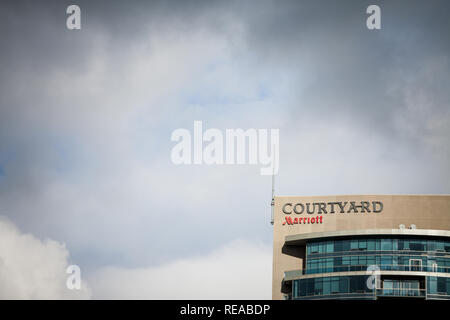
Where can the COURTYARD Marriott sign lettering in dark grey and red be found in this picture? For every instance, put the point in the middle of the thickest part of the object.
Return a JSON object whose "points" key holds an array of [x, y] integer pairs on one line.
{"points": [[297, 213]]}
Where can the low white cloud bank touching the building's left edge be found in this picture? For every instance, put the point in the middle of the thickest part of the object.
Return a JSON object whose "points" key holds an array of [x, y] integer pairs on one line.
{"points": [[239, 270]]}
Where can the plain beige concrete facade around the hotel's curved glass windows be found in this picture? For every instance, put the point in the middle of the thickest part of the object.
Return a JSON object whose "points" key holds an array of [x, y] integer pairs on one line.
{"points": [[428, 212]]}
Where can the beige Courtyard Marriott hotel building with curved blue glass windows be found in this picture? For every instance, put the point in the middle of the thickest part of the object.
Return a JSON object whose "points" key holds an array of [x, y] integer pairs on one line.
{"points": [[361, 247]]}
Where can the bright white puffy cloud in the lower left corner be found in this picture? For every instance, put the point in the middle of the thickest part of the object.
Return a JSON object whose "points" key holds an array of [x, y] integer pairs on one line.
{"points": [[33, 269]]}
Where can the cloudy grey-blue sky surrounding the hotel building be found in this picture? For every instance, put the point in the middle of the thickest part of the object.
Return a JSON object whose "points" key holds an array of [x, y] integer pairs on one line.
{"points": [[86, 118]]}
